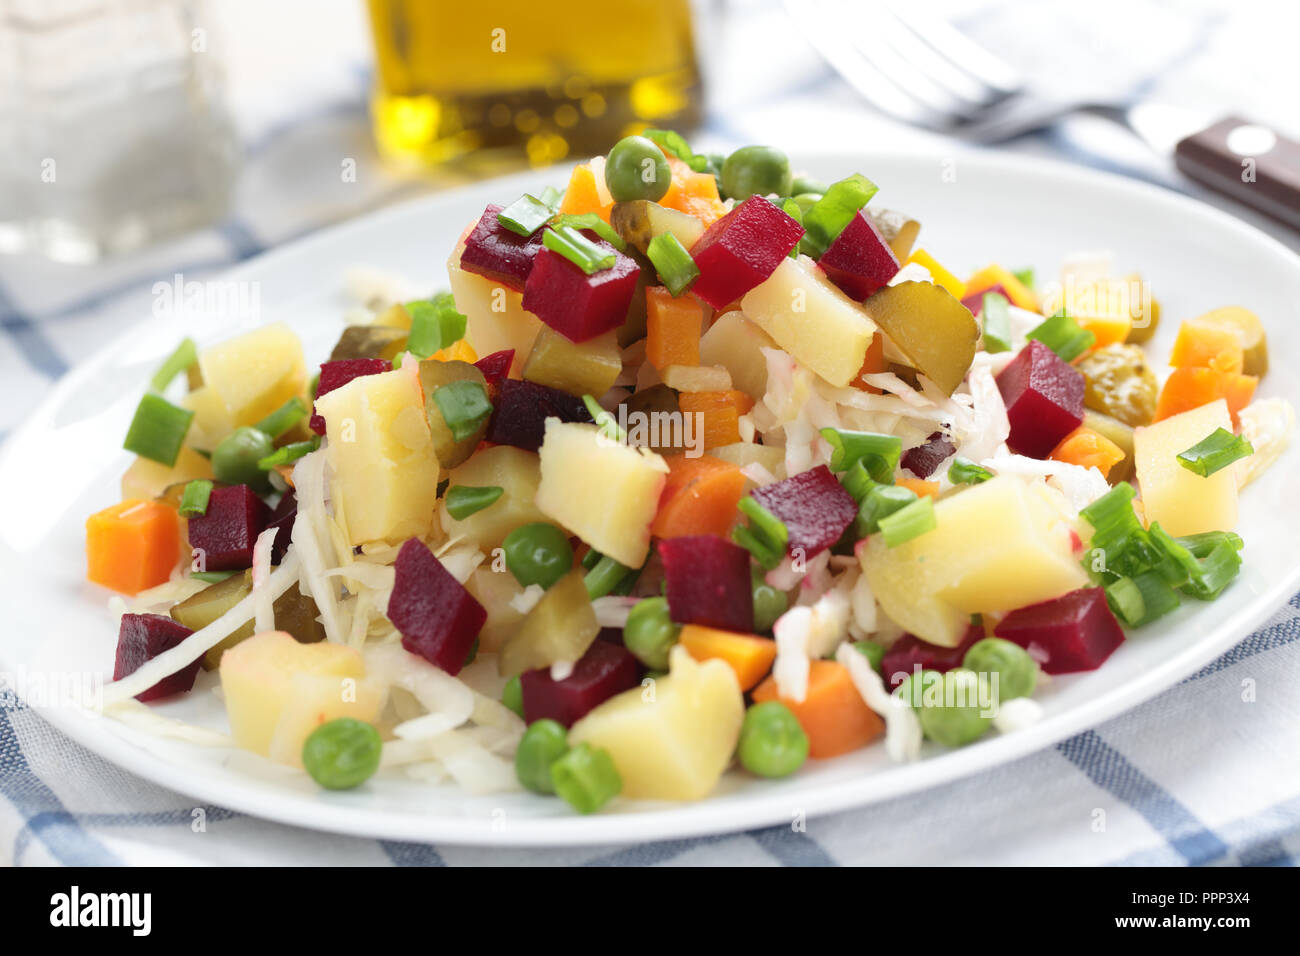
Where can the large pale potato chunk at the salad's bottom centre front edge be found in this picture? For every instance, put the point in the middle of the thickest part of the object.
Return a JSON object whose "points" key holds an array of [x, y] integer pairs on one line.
{"points": [[675, 739]]}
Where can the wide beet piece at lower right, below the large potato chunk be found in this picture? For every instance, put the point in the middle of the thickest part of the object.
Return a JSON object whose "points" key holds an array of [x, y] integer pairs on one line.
{"points": [[1069, 634]]}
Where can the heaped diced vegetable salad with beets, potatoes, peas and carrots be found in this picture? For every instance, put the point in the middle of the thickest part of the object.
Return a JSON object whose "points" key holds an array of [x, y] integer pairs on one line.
{"points": [[699, 464]]}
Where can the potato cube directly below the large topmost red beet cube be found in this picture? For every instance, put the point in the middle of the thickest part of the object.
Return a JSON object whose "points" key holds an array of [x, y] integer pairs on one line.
{"points": [[812, 319]]}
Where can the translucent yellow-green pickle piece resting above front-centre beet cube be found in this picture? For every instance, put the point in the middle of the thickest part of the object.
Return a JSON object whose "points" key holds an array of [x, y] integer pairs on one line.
{"points": [[561, 628]]}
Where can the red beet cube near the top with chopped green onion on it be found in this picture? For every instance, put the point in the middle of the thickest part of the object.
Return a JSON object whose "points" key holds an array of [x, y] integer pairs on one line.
{"points": [[577, 305]]}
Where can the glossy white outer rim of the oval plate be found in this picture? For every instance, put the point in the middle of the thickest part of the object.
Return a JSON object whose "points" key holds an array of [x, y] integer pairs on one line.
{"points": [[678, 821]]}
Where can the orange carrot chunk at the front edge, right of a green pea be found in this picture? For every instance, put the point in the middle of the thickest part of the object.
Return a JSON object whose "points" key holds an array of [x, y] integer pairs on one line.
{"points": [[833, 712]]}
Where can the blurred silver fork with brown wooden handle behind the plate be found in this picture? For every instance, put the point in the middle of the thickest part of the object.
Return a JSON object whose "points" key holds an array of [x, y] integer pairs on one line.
{"points": [[920, 70]]}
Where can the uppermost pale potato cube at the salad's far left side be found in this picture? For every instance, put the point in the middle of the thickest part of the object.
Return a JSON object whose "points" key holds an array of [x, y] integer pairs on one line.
{"points": [[255, 374]]}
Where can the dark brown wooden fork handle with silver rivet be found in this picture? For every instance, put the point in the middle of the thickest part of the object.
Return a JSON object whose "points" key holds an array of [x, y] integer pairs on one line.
{"points": [[1247, 162]]}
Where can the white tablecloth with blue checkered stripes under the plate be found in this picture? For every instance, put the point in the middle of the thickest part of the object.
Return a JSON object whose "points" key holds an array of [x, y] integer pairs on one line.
{"points": [[1204, 775]]}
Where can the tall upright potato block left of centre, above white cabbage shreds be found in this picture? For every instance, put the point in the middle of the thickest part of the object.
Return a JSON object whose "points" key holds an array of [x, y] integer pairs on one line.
{"points": [[385, 470]]}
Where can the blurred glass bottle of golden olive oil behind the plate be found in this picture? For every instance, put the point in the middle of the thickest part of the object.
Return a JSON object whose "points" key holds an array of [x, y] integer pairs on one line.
{"points": [[536, 81]]}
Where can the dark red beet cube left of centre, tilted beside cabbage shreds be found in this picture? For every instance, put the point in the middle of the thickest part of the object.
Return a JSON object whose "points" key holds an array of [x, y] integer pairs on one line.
{"points": [[439, 620]]}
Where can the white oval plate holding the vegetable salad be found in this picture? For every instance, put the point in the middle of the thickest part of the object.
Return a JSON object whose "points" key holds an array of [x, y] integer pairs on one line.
{"points": [[64, 465]]}
